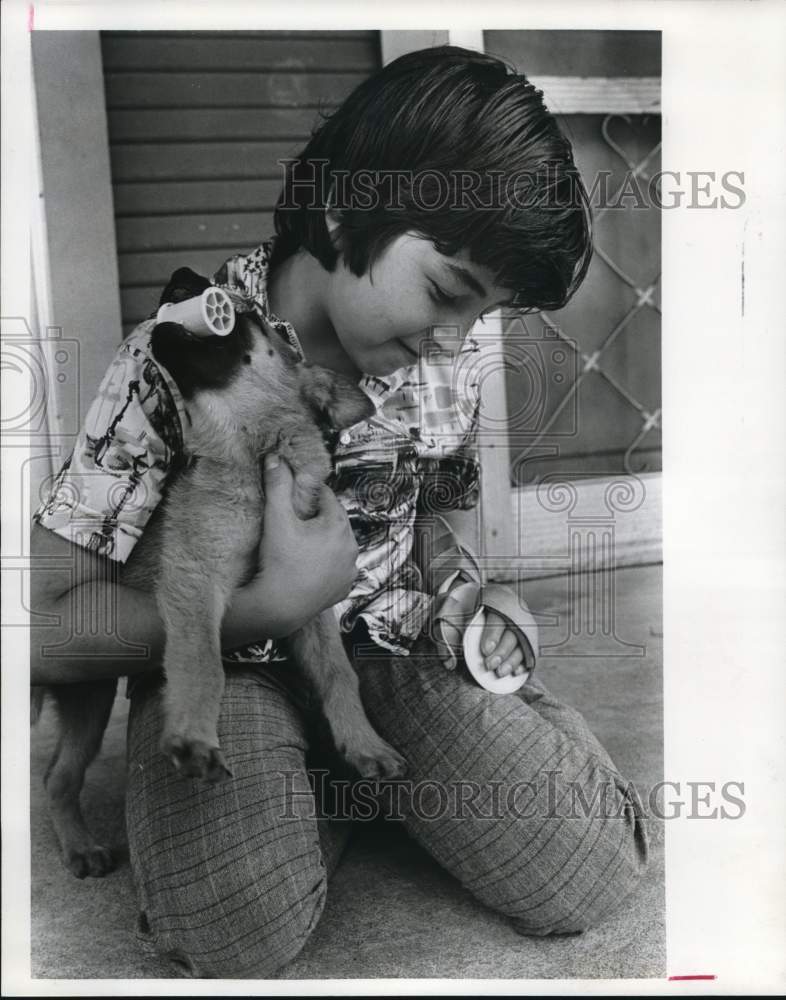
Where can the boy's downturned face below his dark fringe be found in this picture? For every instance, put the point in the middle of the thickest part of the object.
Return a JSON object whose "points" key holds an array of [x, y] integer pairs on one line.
{"points": [[382, 318]]}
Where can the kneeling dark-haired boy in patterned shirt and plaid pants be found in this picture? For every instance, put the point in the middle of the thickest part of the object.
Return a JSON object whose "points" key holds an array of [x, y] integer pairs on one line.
{"points": [[440, 190]]}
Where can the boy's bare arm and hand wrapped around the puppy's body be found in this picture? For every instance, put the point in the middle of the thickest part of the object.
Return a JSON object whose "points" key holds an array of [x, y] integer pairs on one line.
{"points": [[84, 619]]}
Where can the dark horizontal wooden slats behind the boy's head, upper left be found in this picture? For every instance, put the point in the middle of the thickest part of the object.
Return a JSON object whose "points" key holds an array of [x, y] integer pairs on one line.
{"points": [[197, 122]]}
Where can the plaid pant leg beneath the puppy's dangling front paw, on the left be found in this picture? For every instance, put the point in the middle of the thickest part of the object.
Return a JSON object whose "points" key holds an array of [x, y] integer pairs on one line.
{"points": [[231, 877]]}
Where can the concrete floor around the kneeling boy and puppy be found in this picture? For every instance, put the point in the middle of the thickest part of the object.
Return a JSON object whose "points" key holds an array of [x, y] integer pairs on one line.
{"points": [[391, 911]]}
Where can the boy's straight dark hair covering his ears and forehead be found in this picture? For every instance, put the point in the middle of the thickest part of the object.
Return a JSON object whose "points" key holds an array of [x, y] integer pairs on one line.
{"points": [[451, 144]]}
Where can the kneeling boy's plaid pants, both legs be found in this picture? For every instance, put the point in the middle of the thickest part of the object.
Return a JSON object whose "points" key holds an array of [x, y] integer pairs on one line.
{"points": [[510, 793]]}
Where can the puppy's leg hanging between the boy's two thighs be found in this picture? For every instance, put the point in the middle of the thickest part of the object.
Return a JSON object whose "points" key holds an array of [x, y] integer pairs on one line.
{"points": [[320, 656]]}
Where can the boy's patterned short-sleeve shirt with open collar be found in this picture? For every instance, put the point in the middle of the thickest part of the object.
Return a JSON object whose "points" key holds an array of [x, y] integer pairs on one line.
{"points": [[416, 453]]}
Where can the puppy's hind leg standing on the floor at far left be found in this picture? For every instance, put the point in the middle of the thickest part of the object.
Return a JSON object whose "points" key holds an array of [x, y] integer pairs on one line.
{"points": [[83, 711]]}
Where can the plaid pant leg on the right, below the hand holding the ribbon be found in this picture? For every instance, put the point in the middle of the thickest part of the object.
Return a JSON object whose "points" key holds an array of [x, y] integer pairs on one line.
{"points": [[500, 784]]}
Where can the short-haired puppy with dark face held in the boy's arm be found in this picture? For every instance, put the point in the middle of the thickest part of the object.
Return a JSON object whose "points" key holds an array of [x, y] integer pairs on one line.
{"points": [[245, 395]]}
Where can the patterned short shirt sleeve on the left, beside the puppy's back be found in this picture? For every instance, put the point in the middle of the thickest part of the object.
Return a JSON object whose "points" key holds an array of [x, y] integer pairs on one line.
{"points": [[108, 488]]}
